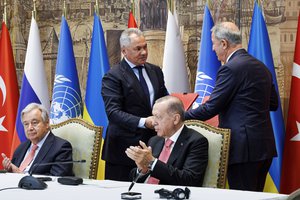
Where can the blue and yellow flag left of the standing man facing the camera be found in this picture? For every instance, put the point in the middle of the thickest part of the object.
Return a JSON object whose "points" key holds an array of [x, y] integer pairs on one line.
{"points": [[94, 110]]}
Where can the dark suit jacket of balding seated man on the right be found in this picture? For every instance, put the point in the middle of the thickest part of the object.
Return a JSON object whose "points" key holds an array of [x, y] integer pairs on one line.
{"points": [[187, 162]]}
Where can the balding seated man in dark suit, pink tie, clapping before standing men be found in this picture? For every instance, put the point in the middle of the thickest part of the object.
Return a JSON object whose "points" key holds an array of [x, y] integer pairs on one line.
{"points": [[181, 163]]}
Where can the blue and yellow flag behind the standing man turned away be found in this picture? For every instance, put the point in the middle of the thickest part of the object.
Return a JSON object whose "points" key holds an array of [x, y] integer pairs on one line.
{"points": [[259, 47]]}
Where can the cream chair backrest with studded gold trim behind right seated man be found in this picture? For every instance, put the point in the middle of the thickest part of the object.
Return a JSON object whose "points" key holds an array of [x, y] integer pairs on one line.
{"points": [[218, 151]]}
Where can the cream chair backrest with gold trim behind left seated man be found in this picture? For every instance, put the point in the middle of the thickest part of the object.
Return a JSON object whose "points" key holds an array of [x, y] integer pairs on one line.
{"points": [[85, 139]]}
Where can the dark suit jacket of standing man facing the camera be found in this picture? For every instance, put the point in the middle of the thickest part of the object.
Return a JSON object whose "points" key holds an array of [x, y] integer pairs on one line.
{"points": [[125, 104]]}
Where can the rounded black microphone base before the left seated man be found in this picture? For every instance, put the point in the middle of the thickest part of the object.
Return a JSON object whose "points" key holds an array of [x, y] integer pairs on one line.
{"points": [[32, 183]]}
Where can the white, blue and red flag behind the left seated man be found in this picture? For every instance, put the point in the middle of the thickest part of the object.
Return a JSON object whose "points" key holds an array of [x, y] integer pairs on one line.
{"points": [[34, 86]]}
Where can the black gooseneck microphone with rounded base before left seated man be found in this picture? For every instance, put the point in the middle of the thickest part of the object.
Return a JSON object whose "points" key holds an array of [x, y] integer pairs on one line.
{"points": [[32, 183]]}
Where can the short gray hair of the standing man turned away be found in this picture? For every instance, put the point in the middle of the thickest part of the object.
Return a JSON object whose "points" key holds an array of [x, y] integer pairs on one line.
{"points": [[226, 32]]}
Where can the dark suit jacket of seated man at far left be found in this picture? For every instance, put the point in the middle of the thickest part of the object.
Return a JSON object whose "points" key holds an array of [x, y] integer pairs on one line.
{"points": [[54, 149]]}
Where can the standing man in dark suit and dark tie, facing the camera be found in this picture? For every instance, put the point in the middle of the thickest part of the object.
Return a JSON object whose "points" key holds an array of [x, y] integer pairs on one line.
{"points": [[129, 90]]}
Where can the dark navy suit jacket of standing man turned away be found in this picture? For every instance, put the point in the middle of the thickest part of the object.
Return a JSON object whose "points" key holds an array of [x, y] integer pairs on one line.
{"points": [[243, 96]]}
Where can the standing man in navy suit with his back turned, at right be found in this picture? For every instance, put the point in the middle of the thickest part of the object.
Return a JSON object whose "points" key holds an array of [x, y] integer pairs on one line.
{"points": [[243, 97]]}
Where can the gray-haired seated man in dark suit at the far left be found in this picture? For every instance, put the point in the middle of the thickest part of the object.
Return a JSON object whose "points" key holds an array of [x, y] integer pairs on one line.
{"points": [[40, 147]]}
